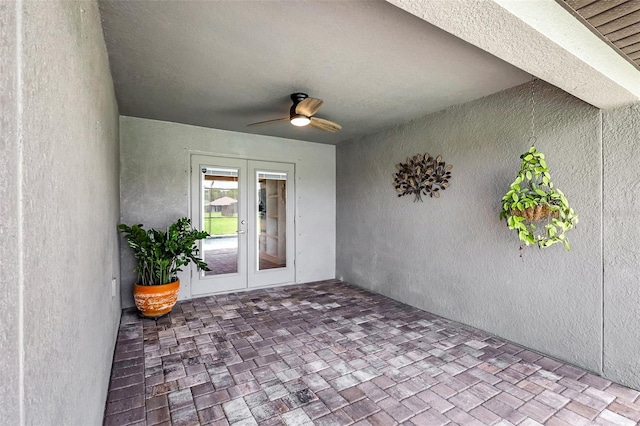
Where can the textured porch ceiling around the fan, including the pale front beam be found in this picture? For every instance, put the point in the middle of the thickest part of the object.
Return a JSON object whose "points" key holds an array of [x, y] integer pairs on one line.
{"points": [[375, 64]]}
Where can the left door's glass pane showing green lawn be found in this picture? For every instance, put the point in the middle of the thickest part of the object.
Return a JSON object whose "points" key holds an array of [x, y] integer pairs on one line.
{"points": [[220, 216]]}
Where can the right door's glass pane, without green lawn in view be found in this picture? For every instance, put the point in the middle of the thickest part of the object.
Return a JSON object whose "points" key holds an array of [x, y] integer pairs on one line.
{"points": [[272, 220]]}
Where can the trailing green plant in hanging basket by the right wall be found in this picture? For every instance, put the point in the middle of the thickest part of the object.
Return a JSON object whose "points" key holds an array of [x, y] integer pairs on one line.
{"points": [[535, 209]]}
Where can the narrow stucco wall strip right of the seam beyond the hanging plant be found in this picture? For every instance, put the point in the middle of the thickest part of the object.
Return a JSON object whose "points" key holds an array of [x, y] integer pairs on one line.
{"points": [[621, 144]]}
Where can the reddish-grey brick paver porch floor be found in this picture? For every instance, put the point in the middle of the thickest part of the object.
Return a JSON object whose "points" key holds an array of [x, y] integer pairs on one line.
{"points": [[330, 353]]}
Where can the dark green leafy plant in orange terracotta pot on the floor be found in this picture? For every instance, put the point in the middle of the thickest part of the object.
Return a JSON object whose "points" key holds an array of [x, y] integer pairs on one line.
{"points": [[161, 254]]}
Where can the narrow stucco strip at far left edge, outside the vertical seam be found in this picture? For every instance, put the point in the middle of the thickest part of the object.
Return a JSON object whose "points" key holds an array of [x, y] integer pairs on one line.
{"points": [[9, 217]]}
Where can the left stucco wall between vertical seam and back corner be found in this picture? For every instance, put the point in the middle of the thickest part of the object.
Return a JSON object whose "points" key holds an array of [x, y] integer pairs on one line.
{"points": [[70, 212]]}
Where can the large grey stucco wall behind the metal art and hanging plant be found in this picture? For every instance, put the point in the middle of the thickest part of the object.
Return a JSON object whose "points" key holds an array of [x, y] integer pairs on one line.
{"points": [[453, 256]]}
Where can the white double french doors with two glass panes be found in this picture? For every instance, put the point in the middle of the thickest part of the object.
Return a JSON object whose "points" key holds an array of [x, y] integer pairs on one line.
{"points": [[248, 209]]}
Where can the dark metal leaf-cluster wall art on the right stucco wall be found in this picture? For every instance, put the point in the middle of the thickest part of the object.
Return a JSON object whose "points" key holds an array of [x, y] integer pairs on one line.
{"points": [[420, 175]]}
